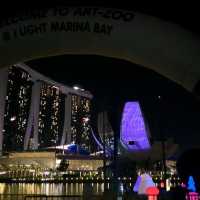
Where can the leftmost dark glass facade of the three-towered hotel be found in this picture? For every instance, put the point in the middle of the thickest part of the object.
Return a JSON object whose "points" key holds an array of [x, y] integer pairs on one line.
{"points": [[18, 101]]}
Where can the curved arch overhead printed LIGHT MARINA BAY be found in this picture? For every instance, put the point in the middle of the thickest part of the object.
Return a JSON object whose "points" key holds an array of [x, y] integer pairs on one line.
{"points": [[161, 46]]}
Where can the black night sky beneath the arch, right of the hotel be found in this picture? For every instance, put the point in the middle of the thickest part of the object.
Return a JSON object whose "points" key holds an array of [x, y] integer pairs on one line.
{"points": [[113, 82]]}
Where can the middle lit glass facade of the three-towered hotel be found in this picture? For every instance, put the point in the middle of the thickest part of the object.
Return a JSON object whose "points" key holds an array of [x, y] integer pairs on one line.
{"points": [[51, 116]]}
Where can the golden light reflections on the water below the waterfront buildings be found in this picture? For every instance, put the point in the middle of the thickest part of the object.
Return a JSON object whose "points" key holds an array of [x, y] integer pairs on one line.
{"points": [[51, 188]]}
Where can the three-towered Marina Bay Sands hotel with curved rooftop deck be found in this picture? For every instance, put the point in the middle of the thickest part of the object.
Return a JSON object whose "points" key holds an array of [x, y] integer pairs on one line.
{"points": [[37, 112]]}
